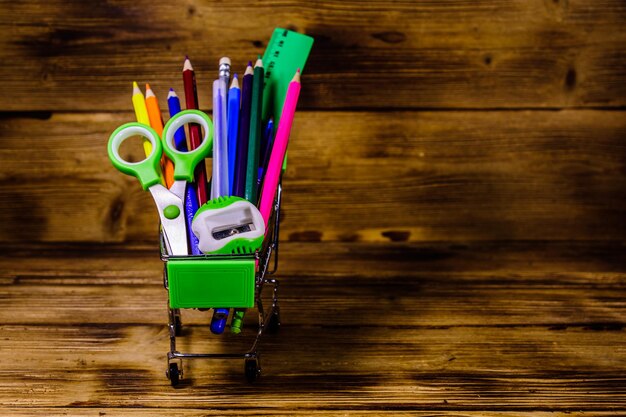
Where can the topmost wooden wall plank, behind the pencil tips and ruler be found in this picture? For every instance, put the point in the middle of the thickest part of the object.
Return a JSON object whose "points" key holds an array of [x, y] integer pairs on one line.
{"points": [[68, 55]]}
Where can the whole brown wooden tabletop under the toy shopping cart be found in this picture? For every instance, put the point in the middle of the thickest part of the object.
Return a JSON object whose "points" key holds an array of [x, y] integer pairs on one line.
{"points": [[537, 323]]}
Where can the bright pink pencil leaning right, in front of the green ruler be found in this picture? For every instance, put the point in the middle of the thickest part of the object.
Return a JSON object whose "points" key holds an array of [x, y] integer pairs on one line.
{"points": [[274, 167]]}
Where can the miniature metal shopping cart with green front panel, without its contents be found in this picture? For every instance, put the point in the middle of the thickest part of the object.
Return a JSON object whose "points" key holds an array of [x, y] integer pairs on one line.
{"points": [[223, 281]]}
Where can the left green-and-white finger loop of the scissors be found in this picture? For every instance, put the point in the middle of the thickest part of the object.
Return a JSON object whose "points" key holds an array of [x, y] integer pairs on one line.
{"points": [[147, 171]]}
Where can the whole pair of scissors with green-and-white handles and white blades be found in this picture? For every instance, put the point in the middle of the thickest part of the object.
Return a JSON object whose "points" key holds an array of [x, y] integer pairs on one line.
{"points": [[170, 202]]}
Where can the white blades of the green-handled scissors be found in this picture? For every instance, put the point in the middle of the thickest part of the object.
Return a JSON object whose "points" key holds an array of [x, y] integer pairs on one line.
{"points": [[175, 229]]}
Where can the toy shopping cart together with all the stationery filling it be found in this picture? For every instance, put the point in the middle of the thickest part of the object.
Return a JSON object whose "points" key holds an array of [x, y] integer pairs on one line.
{"points": [[235, 274]]}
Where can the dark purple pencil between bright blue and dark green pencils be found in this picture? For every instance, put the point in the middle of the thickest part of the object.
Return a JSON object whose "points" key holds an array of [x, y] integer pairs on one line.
{"points": [[241, 161]]}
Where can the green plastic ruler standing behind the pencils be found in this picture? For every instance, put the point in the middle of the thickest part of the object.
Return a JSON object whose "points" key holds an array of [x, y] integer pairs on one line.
{"points": [[286, 52]]}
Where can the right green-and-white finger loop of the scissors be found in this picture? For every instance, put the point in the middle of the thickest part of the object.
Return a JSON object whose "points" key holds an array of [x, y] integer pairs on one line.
{"points": [[185, 162]]}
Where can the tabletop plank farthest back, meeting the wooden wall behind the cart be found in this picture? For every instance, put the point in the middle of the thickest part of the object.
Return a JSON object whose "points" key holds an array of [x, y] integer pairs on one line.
{"points": [[355, 285]]}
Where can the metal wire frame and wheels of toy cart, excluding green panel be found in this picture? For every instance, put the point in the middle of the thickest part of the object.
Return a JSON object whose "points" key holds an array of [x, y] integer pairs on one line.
{"points": [[268, 321]]}
